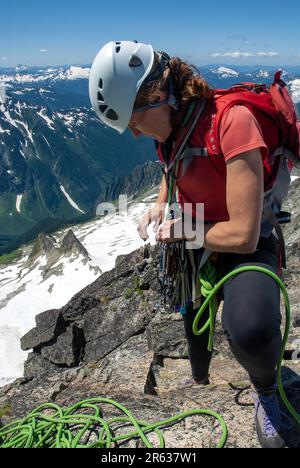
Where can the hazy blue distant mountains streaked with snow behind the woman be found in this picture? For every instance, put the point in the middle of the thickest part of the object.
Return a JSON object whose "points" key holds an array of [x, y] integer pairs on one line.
{"points": [[57, 161]]}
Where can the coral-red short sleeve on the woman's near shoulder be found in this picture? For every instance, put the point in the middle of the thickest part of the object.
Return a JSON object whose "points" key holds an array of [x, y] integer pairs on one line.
{"points": [[240, 132]]}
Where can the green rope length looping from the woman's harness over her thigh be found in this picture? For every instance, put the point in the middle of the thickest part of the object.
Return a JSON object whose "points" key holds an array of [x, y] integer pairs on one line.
{"points": [[210, 288]]}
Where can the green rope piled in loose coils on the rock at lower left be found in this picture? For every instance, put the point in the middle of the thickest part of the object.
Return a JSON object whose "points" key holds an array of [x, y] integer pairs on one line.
{"points": [[71, 427]]}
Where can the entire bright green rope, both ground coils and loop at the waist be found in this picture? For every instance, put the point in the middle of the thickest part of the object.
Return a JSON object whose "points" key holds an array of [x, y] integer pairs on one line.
{"points": [[70, 427]]}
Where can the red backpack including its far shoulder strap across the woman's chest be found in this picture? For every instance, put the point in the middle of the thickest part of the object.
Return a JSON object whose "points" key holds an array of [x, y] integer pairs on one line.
{"points": [[275, 103]]}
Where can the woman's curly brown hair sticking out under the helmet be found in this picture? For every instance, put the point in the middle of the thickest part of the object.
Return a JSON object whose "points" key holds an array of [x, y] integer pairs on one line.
{"points": [[188, 86]]}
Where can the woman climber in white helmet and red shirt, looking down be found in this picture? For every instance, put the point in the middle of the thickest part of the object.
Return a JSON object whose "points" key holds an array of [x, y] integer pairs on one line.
{"points": [[225, 163]]}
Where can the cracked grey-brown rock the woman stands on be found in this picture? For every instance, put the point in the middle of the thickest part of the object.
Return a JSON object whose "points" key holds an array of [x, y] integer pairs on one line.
{"points": [[111, 340]]}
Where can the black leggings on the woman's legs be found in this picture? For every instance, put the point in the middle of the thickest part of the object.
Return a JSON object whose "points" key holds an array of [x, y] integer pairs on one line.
{"points": [[251, 317]]}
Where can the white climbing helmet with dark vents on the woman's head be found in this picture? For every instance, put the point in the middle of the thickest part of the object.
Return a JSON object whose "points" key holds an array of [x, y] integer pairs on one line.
{"points": [[116, 76]]}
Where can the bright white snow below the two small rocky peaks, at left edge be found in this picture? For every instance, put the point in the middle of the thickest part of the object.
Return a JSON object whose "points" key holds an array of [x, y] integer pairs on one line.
{"points": [[21, 287]]}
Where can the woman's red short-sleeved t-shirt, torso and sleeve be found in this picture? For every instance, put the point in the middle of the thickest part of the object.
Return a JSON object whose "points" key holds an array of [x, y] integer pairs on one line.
{"points": [[205, 179]]}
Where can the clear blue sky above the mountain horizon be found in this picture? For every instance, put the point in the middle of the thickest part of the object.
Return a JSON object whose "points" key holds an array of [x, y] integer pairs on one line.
{"points": [[71, 32]]}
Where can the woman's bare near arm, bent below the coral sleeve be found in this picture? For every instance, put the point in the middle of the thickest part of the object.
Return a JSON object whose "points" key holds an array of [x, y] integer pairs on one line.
{"points": [[244, 196]]}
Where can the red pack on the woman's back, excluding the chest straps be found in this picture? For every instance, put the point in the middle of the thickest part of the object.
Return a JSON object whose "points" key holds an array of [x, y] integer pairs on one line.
{"points": [[276, 102]]}
